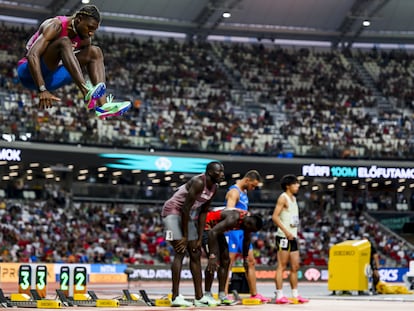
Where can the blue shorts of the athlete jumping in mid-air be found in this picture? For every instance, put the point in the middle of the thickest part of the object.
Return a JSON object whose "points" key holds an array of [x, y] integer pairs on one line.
{"points": [[53, 79]]}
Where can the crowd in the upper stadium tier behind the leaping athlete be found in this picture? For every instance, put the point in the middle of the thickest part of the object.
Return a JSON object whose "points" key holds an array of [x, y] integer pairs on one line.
{"points": [[223, 97]]}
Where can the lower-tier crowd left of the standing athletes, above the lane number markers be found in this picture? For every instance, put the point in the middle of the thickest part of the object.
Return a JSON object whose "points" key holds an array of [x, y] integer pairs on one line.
{"points": [[46, 231]]}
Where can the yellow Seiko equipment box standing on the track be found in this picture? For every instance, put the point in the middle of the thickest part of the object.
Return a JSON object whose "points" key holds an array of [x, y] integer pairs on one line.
{"points": [[348, 266]]}
